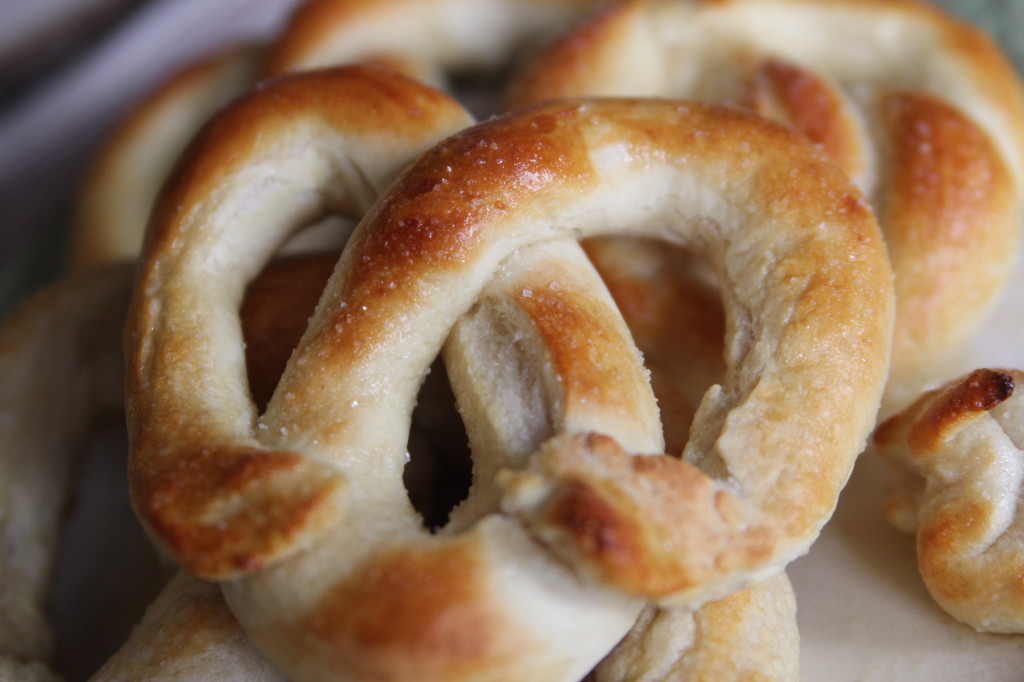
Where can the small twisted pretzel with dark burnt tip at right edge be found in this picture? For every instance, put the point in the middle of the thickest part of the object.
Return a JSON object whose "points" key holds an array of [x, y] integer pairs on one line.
{"points": [[959, 451]]}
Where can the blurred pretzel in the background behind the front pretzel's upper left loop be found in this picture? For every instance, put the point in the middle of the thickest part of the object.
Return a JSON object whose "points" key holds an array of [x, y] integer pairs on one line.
{"points": [[424, 39]]}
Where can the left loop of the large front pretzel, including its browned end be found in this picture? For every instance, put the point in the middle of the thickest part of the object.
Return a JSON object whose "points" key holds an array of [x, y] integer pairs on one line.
{"points": [[217, 236]]}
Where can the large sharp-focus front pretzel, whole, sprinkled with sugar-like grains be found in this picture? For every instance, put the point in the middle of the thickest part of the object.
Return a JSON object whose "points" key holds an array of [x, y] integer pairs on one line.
{"points": [[305, 509]]}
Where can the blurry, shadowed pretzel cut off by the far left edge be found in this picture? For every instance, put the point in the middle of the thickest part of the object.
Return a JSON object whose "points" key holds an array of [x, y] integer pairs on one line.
{"points": [[61, 363]]}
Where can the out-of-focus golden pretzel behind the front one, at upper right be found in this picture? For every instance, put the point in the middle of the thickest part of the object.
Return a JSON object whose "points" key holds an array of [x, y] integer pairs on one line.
{"points": [[922, 110]]}
